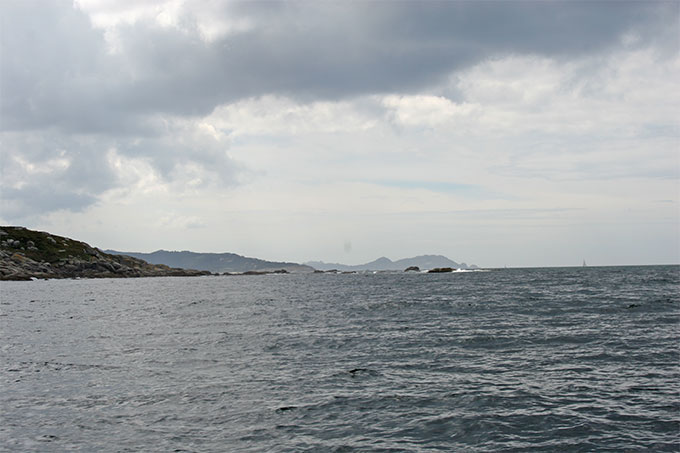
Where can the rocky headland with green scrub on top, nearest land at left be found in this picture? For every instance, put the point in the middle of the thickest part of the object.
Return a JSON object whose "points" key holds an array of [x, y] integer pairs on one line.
{"points": [[26, 254]]}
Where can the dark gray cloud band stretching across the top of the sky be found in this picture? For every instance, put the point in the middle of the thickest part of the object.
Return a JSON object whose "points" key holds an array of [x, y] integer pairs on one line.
{"points": [[57, 70]]}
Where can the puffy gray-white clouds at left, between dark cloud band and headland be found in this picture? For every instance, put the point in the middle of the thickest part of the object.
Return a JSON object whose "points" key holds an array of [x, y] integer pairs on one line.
{"points": [[48, 171]]}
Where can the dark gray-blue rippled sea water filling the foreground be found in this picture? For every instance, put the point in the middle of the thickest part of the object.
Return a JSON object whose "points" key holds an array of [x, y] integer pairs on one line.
{"points": [[568, 359]]}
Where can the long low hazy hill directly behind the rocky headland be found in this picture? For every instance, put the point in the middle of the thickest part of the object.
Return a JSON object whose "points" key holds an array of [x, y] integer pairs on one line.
{"points": [[214, 262]]}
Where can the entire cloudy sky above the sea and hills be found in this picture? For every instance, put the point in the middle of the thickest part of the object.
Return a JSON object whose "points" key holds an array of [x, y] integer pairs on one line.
{"points": [[506, 133]]}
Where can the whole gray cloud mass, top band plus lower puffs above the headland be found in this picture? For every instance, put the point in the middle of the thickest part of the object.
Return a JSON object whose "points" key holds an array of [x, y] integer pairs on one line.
{"points": [[74, 97]]}
